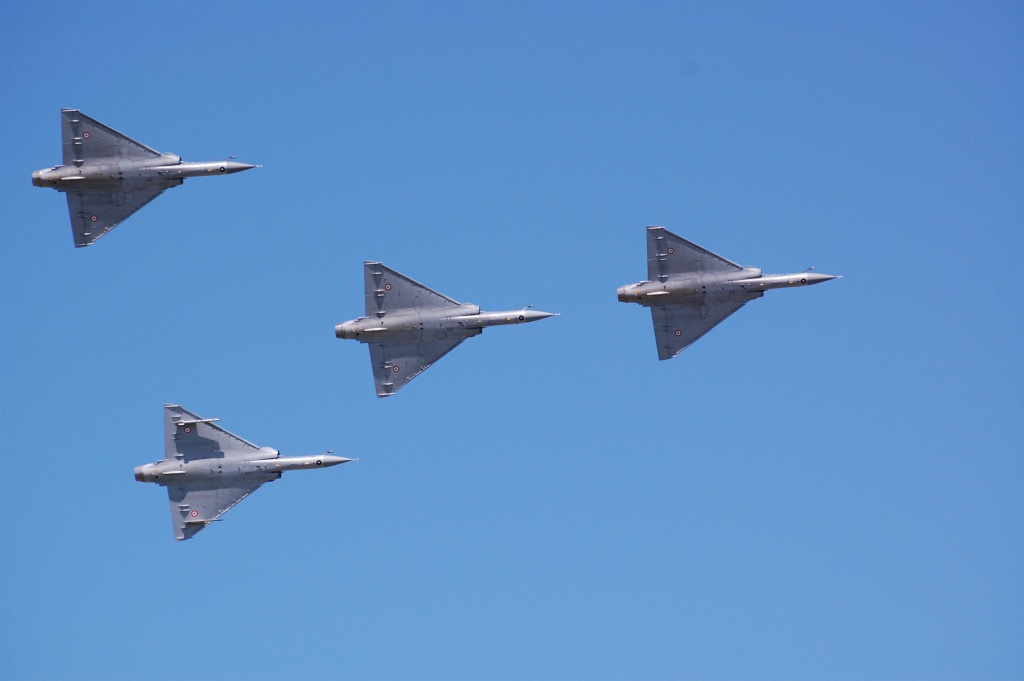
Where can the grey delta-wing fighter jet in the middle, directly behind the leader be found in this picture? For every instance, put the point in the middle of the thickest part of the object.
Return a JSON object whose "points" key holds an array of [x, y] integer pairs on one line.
{"points": [[409, 327]]}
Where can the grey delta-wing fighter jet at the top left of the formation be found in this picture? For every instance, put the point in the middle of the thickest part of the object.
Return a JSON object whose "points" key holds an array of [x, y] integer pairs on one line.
{"points": [[108, 177]]}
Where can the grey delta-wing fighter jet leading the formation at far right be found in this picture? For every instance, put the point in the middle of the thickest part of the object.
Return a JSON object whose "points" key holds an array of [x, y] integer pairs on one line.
{"points": [[692, 290]]}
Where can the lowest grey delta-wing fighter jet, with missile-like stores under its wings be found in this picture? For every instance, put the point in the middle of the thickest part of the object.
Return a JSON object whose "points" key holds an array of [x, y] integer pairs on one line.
{"points": [[209, 471]]}
